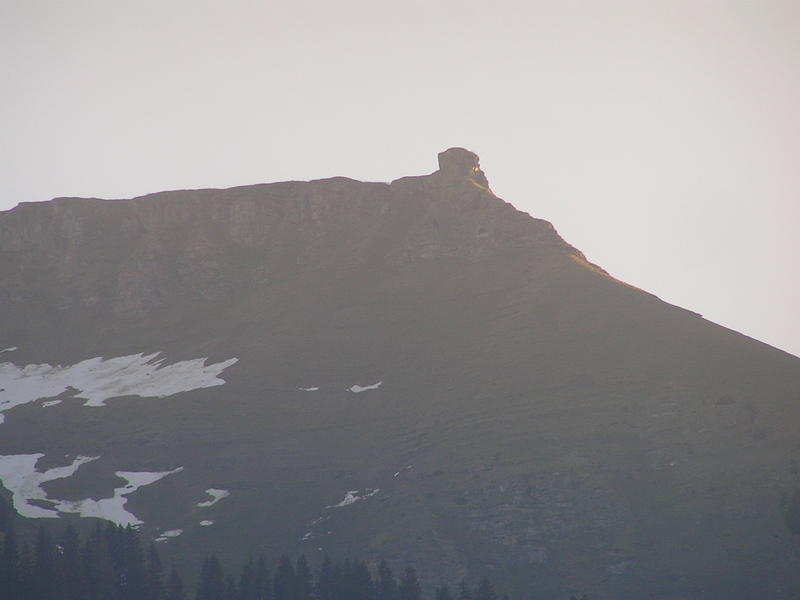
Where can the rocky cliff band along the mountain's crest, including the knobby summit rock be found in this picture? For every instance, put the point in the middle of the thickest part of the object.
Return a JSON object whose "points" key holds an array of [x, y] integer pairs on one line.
{"points": [[131, 257]]}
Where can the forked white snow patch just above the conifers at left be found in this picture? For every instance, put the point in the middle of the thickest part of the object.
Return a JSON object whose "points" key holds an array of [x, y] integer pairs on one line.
{"points": [[19, 475]]}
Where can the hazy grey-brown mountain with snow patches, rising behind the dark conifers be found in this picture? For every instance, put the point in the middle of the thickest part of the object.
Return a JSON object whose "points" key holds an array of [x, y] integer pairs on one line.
{"points": [[414, 371]]}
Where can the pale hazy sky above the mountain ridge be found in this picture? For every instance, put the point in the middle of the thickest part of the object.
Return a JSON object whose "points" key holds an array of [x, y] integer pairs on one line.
{"points": [[660, 137]]}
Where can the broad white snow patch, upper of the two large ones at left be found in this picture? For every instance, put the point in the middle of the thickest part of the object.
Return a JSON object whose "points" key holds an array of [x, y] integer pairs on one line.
{"points": [[97, 379]]}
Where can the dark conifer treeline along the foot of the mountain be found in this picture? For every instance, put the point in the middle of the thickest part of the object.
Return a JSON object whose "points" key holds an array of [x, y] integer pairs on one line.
{"points": [[112, 564]]}
